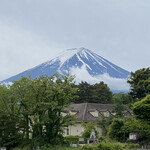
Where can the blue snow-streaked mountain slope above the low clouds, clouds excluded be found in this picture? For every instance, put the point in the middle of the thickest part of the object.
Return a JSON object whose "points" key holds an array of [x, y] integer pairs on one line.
{"points": [[75, 59]]}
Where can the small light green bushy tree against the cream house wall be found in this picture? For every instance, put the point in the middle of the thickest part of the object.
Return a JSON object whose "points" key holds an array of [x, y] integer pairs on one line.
{"points": [[88, 127]]}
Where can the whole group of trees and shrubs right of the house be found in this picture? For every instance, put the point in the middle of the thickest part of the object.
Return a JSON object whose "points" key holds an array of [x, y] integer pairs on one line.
{"points": [[140, 121]]}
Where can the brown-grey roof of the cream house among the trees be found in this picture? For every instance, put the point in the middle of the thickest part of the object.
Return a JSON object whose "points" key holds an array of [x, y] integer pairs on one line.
{"points": [[83, 111]]}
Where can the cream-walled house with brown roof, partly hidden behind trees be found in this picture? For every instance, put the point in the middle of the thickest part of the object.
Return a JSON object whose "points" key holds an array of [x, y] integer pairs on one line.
{"points": [[89, 112]]}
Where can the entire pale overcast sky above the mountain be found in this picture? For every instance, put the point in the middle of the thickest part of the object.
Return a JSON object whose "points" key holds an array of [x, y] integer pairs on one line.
{"points": [[34, 31]]}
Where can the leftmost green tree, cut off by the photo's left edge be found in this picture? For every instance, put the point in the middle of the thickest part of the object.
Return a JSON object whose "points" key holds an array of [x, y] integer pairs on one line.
{"points": [[9, 133]]}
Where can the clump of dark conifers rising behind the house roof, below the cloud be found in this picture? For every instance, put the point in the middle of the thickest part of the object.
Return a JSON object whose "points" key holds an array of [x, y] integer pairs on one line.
{"points": [[96, 93]]}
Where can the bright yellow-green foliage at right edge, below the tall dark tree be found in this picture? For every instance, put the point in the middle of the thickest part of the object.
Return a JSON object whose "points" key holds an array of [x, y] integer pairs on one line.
{"points": [[141, 109]]}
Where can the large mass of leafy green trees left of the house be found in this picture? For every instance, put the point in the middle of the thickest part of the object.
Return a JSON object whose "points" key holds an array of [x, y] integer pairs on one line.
{"points": [[34, 108]]}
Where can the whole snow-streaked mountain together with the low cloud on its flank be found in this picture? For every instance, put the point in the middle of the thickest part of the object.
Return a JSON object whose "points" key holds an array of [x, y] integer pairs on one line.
{"points": [[84, 64]]}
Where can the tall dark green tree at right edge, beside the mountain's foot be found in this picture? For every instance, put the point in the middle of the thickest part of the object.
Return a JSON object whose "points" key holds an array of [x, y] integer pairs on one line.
{"points": [[140, 83]]}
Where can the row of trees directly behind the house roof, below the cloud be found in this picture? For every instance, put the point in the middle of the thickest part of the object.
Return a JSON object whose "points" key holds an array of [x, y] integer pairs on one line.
{"points": [[100, 93]]}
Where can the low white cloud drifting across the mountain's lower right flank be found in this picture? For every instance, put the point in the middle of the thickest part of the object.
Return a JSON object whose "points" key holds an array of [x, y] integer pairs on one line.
{"points": [[82, 74]]}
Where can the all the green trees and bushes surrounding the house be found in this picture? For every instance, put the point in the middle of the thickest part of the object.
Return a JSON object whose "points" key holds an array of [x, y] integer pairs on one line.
{"points": [[31, 112]]}
